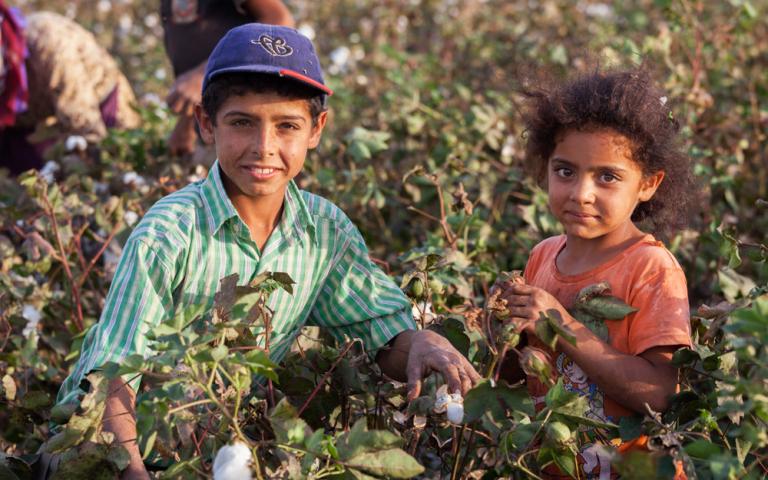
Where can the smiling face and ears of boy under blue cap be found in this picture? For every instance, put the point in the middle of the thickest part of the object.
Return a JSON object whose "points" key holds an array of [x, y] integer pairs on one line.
{"points": [[261, 141]]}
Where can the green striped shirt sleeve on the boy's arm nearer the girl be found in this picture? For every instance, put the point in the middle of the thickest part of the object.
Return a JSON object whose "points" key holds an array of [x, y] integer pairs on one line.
{"points": [[358, 300]]}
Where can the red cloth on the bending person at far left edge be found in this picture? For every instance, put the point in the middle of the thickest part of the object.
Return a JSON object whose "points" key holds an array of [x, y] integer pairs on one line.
{"points": [[14, 91]]}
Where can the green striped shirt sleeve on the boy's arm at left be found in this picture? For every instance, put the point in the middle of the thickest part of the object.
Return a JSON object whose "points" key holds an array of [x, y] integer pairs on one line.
{"points": [[138, 299]]}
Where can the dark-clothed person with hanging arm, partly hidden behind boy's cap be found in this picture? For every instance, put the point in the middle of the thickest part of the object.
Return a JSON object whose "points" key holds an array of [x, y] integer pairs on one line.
{"points": [[192, 28]]}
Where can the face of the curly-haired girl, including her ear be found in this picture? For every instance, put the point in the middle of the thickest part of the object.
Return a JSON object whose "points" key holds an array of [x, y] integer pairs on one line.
{"points": [[594, 185]]}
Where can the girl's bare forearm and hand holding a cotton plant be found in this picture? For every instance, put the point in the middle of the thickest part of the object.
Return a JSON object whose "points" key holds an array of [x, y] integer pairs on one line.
{"points": [[631, 380]]}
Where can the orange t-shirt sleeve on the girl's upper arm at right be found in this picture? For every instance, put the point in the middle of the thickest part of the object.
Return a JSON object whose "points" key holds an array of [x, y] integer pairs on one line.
{"points": [[663, 316]]}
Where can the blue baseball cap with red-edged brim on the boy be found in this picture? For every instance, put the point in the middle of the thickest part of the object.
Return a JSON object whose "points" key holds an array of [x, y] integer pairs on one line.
{"points": [[271, 49]]}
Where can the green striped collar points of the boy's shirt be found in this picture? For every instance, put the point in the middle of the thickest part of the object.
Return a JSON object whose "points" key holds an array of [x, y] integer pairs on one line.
{"points": [[295, 219]]}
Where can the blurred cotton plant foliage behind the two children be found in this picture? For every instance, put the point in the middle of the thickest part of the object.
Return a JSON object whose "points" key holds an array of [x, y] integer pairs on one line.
{"points": [[423, 151]]}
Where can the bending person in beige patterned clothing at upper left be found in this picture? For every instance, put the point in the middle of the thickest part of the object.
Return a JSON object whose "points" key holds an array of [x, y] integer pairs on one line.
{"points": [[56, 80]]}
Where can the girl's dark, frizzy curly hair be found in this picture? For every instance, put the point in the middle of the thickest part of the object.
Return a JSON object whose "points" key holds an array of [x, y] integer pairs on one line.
{"points": [[629, 103]]}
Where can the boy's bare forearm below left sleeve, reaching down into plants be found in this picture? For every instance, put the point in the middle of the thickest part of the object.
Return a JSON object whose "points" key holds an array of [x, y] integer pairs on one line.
{"points": [[120, 419]]}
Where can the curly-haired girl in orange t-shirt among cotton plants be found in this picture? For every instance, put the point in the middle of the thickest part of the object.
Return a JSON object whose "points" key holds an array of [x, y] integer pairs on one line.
{"points": [[605, 145]]}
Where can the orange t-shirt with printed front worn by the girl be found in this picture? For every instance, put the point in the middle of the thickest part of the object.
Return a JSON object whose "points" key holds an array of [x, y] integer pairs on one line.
{"points": [[647, 277]]}
